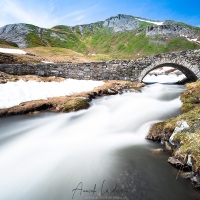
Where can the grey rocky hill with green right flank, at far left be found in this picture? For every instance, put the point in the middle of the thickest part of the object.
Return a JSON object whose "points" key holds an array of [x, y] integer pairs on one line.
{"points": [[27, 35]]}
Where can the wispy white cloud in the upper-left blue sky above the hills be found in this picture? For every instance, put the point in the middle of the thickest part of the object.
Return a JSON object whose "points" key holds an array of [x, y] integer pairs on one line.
{"points": [[43, 15]]}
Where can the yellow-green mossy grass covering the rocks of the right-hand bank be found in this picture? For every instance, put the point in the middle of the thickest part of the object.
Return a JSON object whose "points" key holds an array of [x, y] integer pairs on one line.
{"points": [[188, 139]]}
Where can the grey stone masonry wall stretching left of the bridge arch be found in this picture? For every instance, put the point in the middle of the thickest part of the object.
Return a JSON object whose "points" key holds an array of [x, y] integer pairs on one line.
{"points": [[113, 70]]}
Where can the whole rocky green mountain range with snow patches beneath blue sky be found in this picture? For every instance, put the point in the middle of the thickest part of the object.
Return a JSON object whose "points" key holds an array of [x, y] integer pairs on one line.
{"points": [[121, 36]]}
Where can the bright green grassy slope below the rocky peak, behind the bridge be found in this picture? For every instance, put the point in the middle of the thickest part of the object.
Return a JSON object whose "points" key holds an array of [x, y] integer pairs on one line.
{"points": [[127, 45]]}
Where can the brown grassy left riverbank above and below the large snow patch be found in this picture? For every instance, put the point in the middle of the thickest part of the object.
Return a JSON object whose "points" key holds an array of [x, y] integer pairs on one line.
{"points": [[69, 103]]}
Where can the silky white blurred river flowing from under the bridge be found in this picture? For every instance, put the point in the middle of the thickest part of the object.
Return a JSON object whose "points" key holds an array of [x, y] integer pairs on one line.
{"points": [[99, 153]]}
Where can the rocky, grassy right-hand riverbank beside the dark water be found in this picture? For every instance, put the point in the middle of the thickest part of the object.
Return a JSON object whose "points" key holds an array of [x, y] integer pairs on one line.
{"points": [[181, 135]]}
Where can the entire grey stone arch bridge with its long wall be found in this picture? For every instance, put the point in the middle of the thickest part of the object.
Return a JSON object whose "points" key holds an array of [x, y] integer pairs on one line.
{"points": [[133, 70]]}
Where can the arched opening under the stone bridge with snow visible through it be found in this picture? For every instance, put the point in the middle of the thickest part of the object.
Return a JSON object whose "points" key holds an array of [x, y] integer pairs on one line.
{"points": [[167, 73]]}
